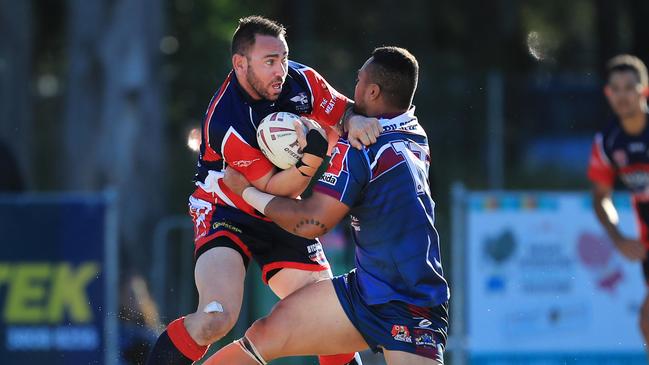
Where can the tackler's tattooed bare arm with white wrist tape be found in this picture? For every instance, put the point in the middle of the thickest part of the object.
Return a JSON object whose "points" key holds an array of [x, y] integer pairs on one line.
{"points": [[307, 218]]}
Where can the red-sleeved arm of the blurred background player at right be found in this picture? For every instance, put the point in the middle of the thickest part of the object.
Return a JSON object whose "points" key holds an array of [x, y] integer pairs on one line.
{"points": [[602, 174]]}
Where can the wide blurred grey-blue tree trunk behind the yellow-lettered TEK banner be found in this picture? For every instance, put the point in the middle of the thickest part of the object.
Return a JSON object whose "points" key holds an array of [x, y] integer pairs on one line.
{"points": [[113, 128]]}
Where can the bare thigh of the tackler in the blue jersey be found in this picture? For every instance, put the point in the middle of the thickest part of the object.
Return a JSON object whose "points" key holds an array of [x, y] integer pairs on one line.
{"points": [[307, 322]]}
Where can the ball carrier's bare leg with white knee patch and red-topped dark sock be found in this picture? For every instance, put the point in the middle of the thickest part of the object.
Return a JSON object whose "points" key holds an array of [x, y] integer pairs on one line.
{"points": [[219, 276]]}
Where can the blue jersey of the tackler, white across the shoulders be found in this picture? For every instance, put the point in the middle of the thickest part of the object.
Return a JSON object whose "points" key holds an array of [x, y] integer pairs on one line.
{"points": [[392, 214]]}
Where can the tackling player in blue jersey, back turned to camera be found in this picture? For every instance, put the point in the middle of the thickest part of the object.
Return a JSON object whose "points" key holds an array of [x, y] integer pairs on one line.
{"points": [[396, 299]]}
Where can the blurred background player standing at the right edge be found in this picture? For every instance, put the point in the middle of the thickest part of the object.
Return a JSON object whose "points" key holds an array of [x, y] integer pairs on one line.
{"points": [[621, 151]]}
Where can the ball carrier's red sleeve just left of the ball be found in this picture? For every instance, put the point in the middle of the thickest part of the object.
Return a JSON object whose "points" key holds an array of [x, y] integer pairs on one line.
{"points": [[244, 158]]}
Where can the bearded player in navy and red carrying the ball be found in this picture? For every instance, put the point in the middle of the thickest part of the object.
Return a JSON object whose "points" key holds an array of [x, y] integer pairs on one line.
{"points": [[228, 231]]}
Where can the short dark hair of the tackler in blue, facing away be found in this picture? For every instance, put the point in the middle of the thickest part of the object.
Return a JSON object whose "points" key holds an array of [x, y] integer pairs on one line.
{"points": [[396, 71]]}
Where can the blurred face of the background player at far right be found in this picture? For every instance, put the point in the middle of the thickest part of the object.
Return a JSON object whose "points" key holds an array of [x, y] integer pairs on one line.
{"points": [[624, 93]]}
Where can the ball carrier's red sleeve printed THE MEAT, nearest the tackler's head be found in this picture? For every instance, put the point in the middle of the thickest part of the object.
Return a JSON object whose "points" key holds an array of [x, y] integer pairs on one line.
{"points": [[328, 104]]}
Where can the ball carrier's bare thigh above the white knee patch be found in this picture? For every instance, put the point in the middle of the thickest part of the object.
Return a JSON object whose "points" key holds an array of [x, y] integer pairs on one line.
{"points": [[219, 276]]}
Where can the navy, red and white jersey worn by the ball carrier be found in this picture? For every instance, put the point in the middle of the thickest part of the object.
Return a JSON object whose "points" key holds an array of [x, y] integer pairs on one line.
{"points": [[230, 125]]}
